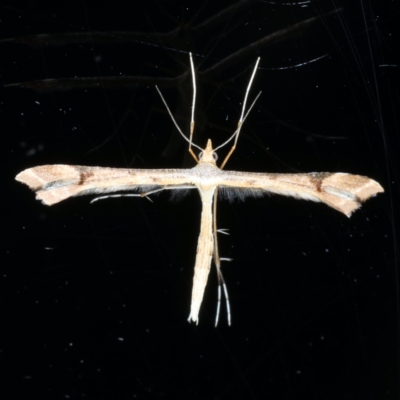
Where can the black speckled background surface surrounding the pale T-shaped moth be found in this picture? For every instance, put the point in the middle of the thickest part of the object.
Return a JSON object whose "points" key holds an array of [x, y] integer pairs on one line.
{"points": [[94, 298]]}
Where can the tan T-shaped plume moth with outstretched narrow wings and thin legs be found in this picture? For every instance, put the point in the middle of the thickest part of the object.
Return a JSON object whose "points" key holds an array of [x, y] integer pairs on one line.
{"points": [[341, 191]]}
